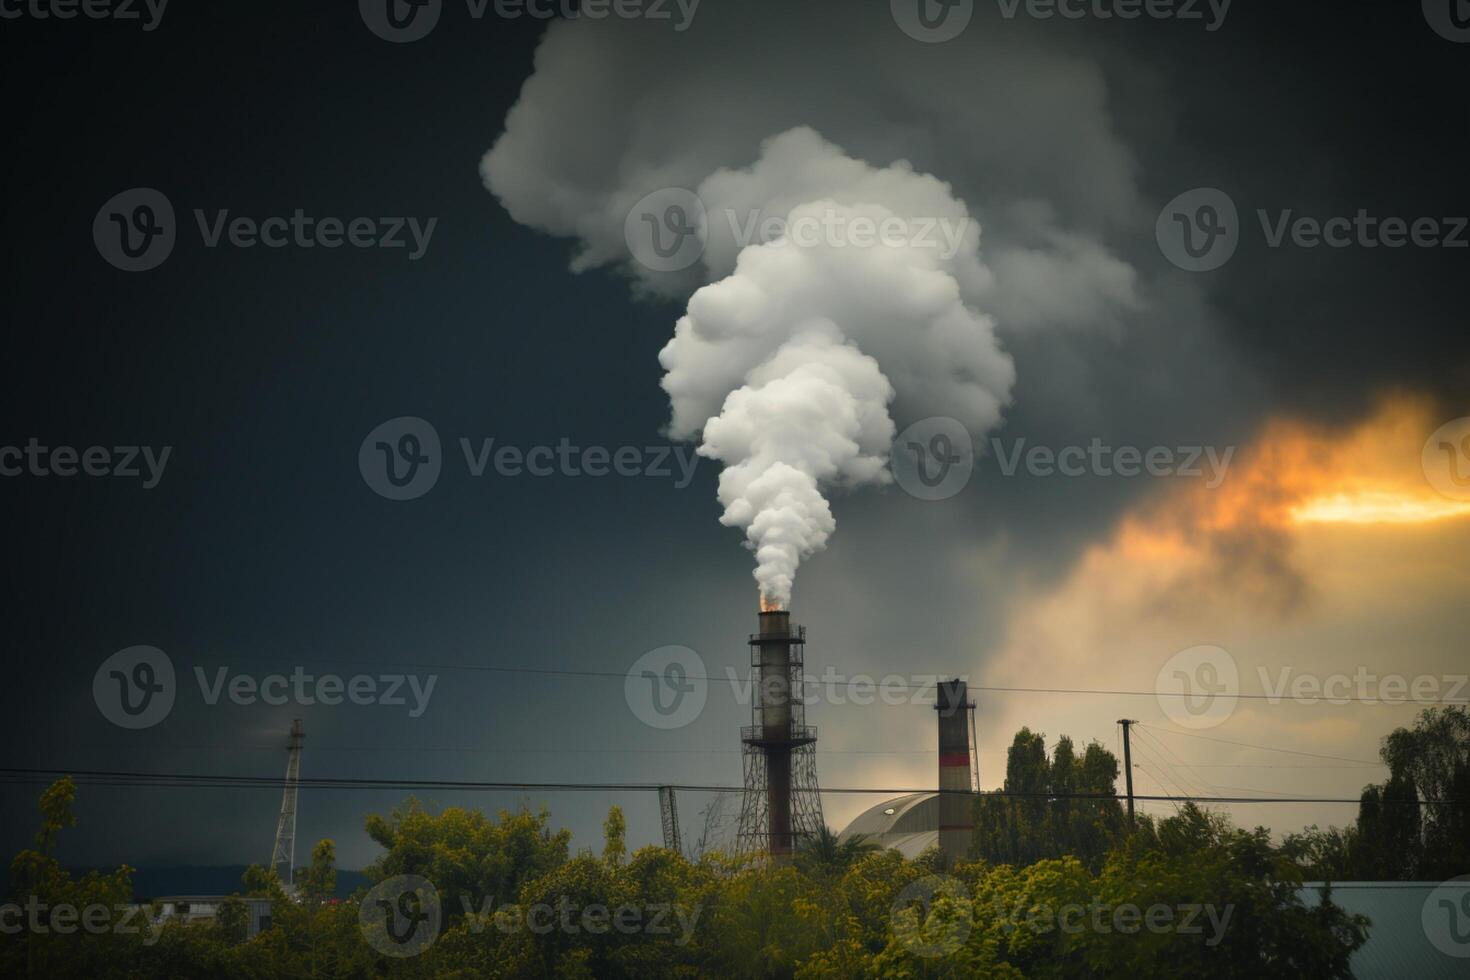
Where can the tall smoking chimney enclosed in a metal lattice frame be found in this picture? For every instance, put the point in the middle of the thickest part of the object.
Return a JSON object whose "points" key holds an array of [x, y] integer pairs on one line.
{"points": [[781, 804]]}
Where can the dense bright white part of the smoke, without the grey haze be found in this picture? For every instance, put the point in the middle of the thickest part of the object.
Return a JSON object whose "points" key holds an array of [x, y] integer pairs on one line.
{"points": [[789, 365]]}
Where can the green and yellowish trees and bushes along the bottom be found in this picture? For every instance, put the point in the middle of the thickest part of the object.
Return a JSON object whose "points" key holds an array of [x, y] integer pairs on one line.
{"points": [[842, 909]]}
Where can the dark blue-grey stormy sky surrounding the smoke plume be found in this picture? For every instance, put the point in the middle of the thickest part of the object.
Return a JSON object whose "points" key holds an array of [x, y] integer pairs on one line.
{"points": [[264, 370]]}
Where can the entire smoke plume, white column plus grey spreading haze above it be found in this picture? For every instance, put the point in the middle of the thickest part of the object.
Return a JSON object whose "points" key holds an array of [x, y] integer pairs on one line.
{"points": [[839, 286]]}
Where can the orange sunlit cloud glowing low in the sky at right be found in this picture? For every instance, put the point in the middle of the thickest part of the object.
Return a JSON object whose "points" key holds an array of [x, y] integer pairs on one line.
{"points": [[1321, 552]]}
